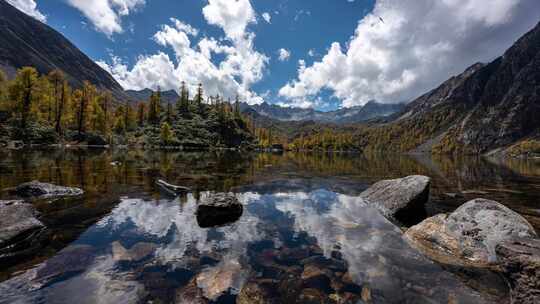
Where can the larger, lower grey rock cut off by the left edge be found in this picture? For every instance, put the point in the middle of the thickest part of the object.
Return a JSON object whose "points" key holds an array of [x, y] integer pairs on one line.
{"points": [[20, 230]]}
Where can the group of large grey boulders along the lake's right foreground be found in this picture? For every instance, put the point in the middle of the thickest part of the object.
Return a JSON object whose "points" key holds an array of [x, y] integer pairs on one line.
{"points": [[480, 234]]}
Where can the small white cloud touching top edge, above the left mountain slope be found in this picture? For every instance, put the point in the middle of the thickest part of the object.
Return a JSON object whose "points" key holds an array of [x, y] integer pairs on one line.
{"points": [[106, 15]]}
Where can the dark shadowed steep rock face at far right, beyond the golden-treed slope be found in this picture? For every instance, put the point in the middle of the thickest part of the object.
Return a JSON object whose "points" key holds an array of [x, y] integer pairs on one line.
{"points": [[508, 99]]}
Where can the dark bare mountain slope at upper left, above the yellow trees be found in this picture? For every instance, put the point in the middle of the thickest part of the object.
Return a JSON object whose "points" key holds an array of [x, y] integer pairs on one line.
{"points": [[24, 41]]}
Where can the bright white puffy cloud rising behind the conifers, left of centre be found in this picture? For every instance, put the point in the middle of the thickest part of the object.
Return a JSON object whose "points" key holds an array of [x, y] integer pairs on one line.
{"points": [[193, 62]]}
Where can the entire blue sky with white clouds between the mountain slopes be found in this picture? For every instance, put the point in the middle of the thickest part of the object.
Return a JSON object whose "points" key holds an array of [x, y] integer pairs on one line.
{"points": [[334, 54]]}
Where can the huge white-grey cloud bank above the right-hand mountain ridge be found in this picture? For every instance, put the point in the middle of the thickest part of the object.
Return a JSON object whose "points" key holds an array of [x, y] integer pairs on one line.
{"points": [[405, 48]]}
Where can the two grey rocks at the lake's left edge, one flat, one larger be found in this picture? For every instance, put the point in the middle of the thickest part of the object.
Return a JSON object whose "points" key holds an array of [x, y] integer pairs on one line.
{"points": [[21, 232]]}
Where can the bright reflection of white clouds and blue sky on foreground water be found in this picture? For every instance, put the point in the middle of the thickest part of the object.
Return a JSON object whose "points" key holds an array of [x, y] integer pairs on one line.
{"points": [[340, 227]]}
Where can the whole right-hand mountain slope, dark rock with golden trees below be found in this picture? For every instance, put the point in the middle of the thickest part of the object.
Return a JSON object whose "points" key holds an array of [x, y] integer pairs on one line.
{"points": [[487, 107]]}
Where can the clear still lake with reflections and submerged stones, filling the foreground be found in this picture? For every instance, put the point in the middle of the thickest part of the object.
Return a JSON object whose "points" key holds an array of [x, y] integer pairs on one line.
{"points": [[304, 235]]}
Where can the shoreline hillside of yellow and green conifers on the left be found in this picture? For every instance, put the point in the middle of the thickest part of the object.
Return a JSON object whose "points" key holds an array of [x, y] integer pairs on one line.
{"points": [[45, 109]]}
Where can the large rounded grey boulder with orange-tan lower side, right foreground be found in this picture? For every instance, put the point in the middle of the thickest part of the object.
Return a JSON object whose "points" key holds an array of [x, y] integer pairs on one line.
{"points": [[469, 235]]}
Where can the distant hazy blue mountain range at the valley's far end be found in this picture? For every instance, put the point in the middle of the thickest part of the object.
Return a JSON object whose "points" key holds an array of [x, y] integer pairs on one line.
{"points": [[369, 111]]}
